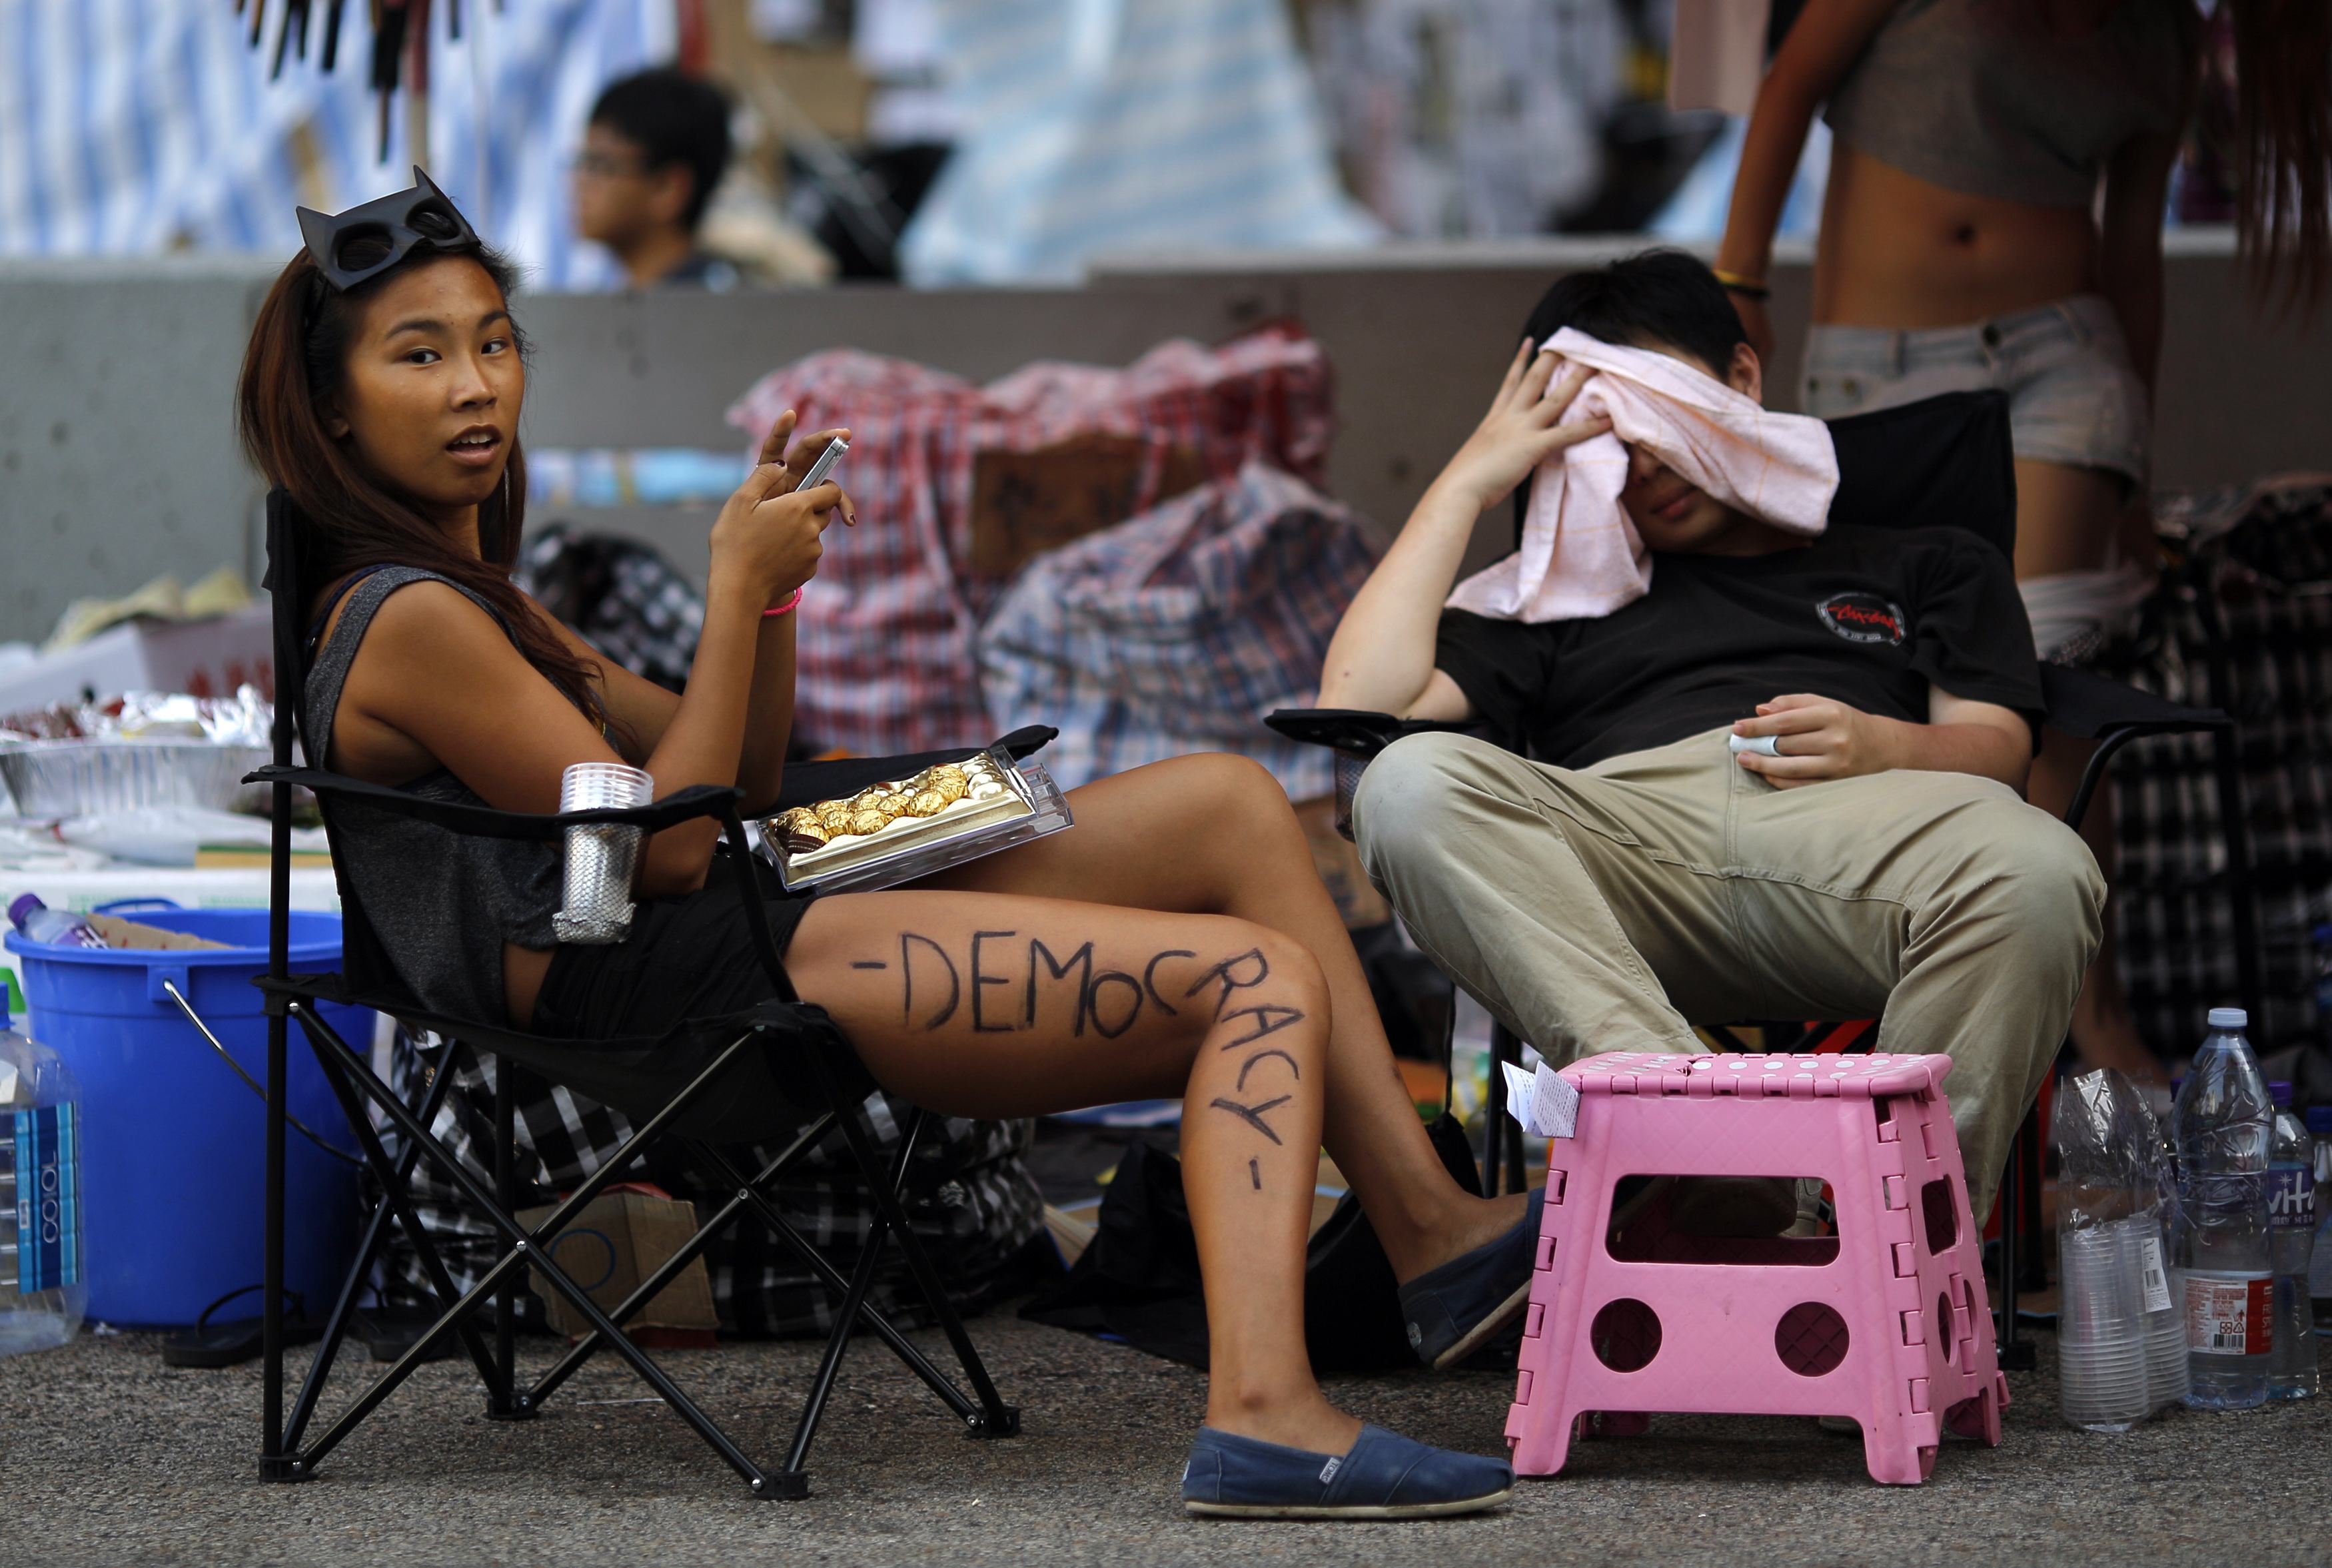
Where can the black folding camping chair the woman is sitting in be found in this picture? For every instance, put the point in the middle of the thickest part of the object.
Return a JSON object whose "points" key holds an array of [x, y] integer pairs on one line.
{"points": [[708, 1085]]}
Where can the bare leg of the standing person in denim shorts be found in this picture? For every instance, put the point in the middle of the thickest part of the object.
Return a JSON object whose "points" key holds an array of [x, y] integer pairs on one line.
{"points": [[2065, 523]]}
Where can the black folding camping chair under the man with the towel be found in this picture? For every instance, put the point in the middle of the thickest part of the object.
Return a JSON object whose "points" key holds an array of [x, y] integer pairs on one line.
{"points": [[1939, 462]]}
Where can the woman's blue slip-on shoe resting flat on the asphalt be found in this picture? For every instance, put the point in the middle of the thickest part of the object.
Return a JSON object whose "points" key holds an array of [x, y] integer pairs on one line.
{"points": [[1384, 1478]]}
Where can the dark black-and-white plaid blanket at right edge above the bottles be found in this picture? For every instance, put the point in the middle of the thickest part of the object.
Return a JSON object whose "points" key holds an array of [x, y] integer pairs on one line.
{"points": [[2247, 626]]}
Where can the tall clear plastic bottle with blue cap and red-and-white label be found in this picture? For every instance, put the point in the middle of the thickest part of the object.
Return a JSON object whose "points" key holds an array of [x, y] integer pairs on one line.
{"points": [[2221, 1245]]}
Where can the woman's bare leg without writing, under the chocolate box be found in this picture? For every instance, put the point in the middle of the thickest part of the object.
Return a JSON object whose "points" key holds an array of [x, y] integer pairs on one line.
{"points": [[1214, 835]]}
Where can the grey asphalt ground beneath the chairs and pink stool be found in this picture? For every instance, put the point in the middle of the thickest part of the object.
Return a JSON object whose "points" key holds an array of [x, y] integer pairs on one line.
{"points": [[108, 1457]]}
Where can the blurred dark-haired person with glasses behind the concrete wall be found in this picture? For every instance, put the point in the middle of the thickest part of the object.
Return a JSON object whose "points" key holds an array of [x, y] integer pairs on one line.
{"points": [[652, 160]]}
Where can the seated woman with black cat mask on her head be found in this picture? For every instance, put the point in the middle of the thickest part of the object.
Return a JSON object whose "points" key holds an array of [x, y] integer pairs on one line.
{"points": [[1179, 942]]}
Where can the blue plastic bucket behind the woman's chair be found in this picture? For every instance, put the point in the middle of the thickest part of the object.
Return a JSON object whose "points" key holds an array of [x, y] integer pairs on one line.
{"points": [[174, 1145]]}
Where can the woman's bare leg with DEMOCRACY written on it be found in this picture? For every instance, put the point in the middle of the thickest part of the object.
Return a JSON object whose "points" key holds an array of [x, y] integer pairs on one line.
{"points": [[997, 1005]]}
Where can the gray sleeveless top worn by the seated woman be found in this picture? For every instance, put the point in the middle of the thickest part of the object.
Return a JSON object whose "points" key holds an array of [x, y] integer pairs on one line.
{"points": [[440, 903]]}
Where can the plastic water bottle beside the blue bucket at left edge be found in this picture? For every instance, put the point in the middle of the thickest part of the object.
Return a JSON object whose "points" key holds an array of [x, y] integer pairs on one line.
{"points": [[43, 1278]]}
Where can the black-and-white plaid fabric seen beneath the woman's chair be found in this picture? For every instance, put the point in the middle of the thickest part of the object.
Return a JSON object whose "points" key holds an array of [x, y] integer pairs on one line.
{"points": [[969, 1196]]}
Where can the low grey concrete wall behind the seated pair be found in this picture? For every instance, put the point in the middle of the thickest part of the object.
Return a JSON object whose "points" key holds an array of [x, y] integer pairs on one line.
{"points": [[118, 430]]}
